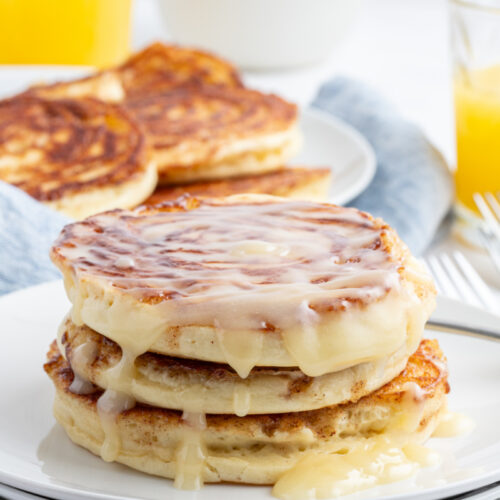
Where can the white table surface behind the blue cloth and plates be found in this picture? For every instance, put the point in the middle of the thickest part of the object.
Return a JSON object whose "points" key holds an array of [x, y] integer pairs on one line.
{"points": [[401, 48]]}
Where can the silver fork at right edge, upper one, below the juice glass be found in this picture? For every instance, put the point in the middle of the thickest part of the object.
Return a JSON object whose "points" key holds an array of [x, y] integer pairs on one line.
{"points": [[489, 207]]}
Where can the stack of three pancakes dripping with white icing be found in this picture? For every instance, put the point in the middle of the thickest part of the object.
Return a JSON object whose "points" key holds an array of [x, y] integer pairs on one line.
{"points": [[243, 339]]}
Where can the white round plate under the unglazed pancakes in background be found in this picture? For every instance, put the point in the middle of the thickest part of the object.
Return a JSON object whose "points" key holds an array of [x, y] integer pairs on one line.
{"points": [[328, 141]]}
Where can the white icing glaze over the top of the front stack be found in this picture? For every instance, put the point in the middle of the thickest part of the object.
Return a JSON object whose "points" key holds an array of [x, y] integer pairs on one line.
{"points": [[262, 260]]}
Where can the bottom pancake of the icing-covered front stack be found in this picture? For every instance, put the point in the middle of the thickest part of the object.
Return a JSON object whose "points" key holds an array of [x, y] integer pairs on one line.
{"points": [[257, 449]]}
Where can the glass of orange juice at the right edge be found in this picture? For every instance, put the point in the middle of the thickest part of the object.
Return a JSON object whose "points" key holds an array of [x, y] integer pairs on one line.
{"points": [[475, 31]]}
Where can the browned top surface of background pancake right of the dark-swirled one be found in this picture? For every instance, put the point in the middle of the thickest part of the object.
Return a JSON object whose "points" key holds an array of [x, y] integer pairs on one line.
{"points": [[206, 118]]}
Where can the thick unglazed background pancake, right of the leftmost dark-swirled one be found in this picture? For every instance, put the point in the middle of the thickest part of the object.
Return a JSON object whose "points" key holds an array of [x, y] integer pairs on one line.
{"points": [[200, 133]]}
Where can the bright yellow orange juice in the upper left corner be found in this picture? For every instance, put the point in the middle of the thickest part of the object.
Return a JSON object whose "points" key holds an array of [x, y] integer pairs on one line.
{"points": [[88, 32]]}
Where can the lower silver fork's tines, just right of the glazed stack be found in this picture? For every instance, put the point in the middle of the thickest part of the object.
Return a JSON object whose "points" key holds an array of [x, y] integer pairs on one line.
{"points": [[457, 279]]}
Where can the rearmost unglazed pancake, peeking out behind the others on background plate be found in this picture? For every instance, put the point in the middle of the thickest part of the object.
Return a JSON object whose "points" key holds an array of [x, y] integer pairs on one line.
{"points": [[157, 68]]}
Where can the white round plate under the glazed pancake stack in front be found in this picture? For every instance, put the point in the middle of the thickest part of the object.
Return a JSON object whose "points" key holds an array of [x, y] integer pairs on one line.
{"points": [[36, 455]]}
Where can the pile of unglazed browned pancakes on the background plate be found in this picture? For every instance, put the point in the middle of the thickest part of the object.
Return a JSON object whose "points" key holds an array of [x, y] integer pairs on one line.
{"points": [[167, 116]]}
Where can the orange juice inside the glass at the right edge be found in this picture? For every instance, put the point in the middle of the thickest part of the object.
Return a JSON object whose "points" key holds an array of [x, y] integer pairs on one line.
{"points": [[477, 110]]}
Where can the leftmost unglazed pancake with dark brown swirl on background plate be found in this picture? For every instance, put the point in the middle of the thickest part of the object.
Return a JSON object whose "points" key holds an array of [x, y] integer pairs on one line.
{"points": [[77, 156]]}
